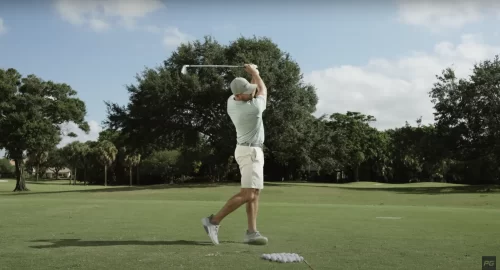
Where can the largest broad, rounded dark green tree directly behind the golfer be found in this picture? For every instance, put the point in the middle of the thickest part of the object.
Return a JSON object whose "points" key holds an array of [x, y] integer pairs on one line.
{"points": [[168, 110]]}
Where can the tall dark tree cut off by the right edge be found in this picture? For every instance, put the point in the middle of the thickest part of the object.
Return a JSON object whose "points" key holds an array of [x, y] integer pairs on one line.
{"points": [[468, 116]]}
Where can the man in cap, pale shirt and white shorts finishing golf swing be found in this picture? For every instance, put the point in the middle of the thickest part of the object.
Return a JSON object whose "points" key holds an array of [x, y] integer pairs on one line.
{"points": [[245, 109]]}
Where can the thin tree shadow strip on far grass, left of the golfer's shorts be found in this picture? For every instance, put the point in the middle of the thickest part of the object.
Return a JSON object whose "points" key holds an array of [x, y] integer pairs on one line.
{"points": [[91, 188]]}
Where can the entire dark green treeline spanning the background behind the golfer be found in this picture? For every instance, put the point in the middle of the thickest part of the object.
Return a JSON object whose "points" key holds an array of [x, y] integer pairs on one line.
{"points": [[175, 127]]}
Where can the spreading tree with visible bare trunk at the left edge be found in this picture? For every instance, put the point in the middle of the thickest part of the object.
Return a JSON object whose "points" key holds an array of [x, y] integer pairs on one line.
{"points": [[32, 111]]}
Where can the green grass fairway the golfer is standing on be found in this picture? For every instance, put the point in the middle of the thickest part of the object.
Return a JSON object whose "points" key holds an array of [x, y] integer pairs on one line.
{"points": [[351, 226]]}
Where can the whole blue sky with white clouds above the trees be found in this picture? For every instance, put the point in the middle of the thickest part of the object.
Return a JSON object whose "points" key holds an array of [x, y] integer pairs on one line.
{"points": [[376, 57]]}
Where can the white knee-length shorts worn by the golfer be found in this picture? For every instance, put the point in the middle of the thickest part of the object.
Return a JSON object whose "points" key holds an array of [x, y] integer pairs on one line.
{"points": [[251, 163]]}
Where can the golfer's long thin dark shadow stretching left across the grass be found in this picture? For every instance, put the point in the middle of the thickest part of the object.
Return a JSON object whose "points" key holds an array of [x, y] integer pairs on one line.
{"points": [[61, 243]]}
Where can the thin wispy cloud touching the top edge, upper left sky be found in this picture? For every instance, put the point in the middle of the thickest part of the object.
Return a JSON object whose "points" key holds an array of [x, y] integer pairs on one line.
{"points": [[99, 14]]}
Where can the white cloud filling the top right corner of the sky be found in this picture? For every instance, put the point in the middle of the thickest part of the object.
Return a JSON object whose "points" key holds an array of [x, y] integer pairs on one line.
{"points": [[446, 14]]}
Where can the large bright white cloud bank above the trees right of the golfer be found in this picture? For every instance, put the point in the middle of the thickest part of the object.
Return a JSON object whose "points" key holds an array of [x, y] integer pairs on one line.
{"points": [[395, 91]]}
